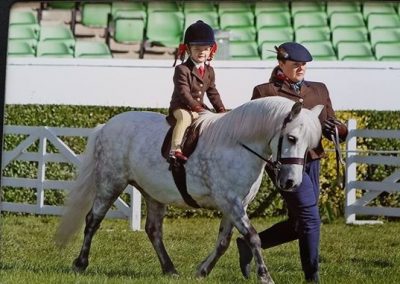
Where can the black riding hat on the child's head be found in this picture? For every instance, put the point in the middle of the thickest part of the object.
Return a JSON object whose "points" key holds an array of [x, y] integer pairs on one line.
{"points": [[199, 33]]}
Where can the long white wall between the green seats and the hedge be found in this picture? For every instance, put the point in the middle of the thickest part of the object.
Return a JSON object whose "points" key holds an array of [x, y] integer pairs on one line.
{"points": [[148, 83]]}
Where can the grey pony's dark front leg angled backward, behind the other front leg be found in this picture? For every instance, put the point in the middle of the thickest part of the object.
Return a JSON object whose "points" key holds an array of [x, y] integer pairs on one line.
{"points": [[223, 240]]}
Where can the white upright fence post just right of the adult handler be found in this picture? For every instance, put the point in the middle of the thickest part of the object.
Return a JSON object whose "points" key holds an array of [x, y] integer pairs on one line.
{"points": [[351, 173]]}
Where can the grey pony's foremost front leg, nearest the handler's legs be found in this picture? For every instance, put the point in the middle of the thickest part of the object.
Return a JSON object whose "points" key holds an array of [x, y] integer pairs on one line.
{"points": [[242, 223]]}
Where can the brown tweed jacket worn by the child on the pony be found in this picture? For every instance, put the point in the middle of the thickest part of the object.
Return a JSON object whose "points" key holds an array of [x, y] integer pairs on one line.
{"points": [[190, 87]]}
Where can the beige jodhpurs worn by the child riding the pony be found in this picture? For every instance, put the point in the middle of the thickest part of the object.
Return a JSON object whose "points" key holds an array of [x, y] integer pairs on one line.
{"points": [[183, 120]]}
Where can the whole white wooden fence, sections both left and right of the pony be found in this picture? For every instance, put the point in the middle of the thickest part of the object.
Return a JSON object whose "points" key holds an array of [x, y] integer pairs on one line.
{"points": [[356, 200]]}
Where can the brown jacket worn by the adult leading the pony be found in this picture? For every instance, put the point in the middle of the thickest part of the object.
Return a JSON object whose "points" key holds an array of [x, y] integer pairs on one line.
{"points": [[312, 93]]}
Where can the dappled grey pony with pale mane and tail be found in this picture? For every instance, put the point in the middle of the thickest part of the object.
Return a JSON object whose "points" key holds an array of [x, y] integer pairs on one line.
{"points": [[221, 174]]}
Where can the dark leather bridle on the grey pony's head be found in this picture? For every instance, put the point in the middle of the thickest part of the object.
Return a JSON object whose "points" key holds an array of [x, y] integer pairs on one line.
{"points": [[273, 167]]}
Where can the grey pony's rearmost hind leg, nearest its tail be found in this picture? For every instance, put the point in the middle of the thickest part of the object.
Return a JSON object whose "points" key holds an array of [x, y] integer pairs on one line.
{"points": [[101, 205]]}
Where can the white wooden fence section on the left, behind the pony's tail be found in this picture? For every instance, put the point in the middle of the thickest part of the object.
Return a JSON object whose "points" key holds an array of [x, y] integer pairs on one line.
{"points": [[63, 154]]}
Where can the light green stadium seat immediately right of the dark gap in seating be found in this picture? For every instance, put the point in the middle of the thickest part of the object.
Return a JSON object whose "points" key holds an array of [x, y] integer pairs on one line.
{"points": [[129, 27]]}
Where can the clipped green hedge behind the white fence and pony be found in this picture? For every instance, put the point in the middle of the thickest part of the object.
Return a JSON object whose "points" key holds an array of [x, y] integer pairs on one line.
{"points": [[268, 201]]}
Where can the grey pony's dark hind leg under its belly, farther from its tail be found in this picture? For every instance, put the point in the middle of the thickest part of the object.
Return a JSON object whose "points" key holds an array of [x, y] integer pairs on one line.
{"points": [[154, 230]]}
